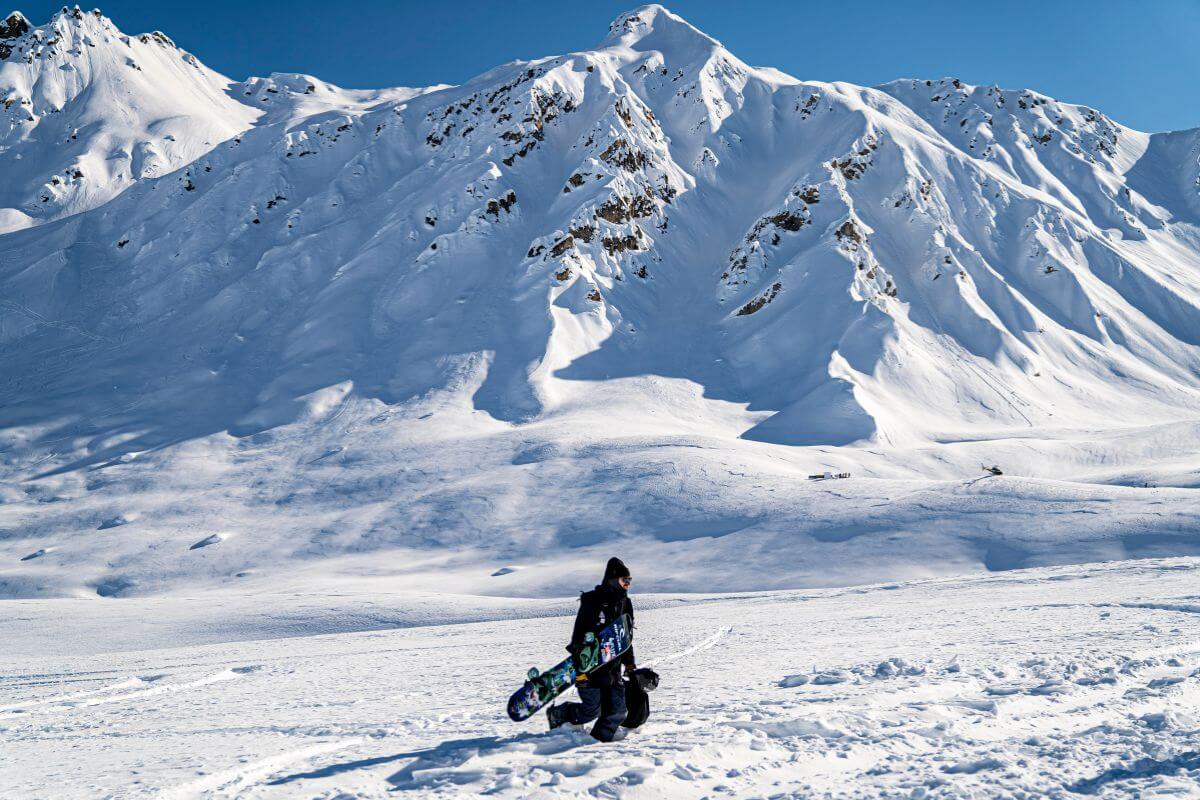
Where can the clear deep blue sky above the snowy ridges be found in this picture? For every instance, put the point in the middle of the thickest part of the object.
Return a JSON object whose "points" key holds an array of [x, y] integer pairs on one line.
{"points": [[1137, 61]]}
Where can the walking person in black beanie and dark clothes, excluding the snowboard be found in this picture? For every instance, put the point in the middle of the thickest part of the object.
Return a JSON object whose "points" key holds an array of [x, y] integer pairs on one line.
{"points": [[602, 691]]}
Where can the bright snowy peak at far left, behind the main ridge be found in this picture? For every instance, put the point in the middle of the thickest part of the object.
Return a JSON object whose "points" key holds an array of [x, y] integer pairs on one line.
{"points": [[89, 111]]}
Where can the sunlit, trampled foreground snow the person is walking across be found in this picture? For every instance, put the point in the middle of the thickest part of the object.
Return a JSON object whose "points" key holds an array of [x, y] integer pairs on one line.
{"points": [[1072, 682]]}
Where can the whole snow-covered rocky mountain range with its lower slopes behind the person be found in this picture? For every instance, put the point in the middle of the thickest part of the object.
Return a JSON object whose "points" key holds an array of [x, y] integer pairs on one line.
{"points": [[623, 299]]}
